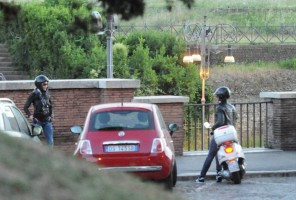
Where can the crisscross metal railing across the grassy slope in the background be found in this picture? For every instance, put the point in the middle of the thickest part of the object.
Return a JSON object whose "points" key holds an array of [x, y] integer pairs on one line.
{"points": [[244, 35]]}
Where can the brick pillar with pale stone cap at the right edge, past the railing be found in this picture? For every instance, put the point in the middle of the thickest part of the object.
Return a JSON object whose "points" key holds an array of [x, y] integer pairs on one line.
{"points": [[281, 120]]}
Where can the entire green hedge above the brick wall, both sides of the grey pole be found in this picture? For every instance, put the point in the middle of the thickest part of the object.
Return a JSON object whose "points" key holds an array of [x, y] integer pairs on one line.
{"points": [[56, 38]]}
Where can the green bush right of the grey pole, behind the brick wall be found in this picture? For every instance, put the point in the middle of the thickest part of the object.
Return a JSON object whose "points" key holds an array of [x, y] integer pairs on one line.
{"points": [[156, 59]]}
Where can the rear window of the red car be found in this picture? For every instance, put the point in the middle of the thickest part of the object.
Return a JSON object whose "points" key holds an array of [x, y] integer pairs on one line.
{"points": [[122, 120]]}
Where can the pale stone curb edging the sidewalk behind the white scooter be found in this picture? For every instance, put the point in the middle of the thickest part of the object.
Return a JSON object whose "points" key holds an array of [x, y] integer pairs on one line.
{"points": [[249, 174]]}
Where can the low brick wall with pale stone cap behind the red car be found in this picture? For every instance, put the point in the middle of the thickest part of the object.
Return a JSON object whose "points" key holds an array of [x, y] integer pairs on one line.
{"points": [[73, 98]]}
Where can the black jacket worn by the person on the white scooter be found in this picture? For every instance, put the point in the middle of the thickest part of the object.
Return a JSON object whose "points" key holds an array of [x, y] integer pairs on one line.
{"points": [[225, 115]]}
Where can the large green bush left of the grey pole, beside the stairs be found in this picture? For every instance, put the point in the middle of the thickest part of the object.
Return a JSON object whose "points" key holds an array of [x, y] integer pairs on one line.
{"points": [[45, 38]]}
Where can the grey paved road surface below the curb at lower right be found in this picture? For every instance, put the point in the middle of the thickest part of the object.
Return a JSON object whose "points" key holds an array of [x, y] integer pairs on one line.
{"points": [[261, 188]]}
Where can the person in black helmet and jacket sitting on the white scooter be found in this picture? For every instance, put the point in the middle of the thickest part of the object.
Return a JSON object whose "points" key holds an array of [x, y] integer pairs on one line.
{"points": [[225, 115]]}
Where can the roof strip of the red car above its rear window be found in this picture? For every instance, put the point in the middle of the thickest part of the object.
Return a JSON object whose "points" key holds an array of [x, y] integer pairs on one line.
{"points": [[146, 106]]}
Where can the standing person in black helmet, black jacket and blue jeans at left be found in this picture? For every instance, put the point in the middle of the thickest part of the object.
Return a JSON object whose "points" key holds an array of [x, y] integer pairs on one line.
{"points": [[42, 107]]}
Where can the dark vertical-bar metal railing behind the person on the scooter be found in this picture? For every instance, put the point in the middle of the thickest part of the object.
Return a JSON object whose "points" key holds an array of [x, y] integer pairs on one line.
{"points": [[251, 125]]}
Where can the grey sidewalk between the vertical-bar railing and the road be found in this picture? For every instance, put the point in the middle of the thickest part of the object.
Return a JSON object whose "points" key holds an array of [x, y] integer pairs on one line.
{"points": [[259, 162]]}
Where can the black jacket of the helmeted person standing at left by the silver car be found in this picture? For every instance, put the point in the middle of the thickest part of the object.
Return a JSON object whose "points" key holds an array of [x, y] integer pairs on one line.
{"points": [[42, 105]]}
